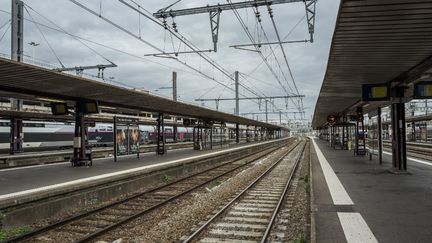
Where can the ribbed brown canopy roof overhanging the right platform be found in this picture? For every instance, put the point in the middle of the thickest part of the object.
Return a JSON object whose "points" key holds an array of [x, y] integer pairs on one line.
{"points": [[375, 41]]}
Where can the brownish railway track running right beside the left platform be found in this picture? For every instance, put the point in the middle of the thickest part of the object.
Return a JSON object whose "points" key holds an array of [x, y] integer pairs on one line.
{"points": [[87, 226]]}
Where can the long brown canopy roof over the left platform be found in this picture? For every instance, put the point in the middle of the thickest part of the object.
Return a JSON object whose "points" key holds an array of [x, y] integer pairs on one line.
{"points": [[21, 78]]}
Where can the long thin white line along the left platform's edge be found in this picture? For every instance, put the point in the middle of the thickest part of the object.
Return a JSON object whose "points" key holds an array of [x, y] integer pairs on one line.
{"points": [[103, 176]]}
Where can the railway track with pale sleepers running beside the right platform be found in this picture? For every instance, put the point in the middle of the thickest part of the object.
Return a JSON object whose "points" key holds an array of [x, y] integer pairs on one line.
{"points": [[250, 215]]}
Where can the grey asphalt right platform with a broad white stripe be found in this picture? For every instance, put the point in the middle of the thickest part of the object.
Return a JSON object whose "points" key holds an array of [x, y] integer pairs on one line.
{"points": [[355, 199]]}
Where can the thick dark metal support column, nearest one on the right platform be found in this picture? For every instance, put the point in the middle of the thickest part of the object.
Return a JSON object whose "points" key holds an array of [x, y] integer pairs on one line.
{"points": [[399, 156]]}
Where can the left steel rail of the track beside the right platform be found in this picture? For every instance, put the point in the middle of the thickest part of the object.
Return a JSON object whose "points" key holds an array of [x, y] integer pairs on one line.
{"points": [[230, 203]]}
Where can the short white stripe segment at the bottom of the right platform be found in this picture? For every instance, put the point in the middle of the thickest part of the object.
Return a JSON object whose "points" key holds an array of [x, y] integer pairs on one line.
{"points": [[356, 229]]}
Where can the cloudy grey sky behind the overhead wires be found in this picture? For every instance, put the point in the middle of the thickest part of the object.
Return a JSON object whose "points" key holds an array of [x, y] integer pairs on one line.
{"points": [[308, 61]]}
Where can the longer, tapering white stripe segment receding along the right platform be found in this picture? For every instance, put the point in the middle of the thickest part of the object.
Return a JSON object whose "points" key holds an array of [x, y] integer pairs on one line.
{"points": [[337, 190]]}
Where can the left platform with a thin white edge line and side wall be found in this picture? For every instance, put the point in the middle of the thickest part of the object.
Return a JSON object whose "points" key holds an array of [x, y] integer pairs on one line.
{"points": [[33, 181]]}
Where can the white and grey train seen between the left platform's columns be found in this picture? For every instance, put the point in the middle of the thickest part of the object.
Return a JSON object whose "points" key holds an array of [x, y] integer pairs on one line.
{"points": [[57, 135]]}
